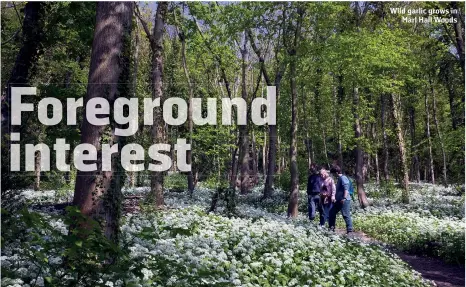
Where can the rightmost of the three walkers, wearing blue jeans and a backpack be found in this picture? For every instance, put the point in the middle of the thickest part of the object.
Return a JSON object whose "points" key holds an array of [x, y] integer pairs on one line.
{"points": [[341, 200]]}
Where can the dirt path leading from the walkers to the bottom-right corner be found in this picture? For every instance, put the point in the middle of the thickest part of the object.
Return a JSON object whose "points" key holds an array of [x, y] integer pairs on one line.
{"points": [[442, 273]]}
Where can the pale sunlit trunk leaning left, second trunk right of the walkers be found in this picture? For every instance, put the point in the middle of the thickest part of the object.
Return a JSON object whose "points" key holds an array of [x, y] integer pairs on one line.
{"points": [[397, 116]]}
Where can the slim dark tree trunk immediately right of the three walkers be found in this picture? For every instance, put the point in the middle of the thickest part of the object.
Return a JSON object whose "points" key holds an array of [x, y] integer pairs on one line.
{"points": [[359, 152]]}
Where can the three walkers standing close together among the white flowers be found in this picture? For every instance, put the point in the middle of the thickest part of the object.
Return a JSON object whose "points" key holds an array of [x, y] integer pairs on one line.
{"points": [[329, 198]]}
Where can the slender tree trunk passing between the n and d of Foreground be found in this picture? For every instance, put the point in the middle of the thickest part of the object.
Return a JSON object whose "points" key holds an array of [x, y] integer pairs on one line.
{"points": [[243, 129]]}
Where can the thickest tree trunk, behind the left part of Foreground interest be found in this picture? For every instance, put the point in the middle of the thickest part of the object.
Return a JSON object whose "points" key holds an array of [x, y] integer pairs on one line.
{"points": [[97, 193]]}
